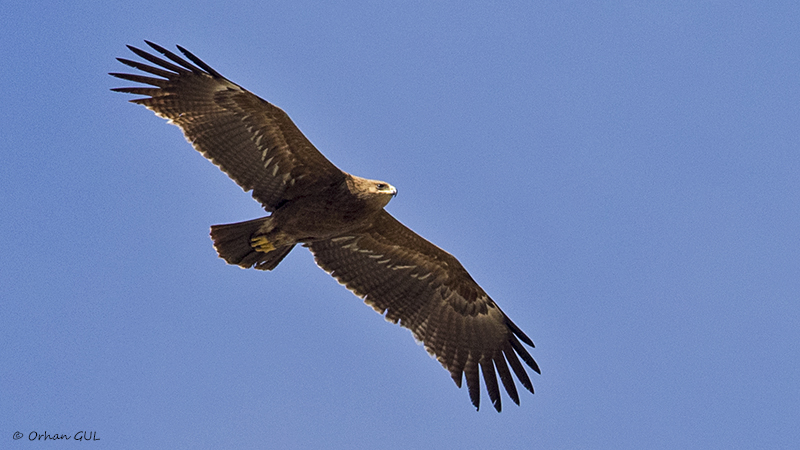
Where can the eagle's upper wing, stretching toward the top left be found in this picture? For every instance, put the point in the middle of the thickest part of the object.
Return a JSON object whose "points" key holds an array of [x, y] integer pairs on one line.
{"points": [[251, 140]]}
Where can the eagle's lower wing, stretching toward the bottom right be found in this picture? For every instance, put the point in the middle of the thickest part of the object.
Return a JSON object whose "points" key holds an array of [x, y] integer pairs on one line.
{"points": [[428, 291]]}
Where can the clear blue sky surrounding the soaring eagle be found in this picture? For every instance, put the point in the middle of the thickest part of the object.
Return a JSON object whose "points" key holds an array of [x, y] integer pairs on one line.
{"points": [[621, 177]]}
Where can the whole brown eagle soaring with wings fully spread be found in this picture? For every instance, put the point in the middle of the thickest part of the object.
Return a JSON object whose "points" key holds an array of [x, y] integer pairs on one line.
{"points": [[339, 217]]}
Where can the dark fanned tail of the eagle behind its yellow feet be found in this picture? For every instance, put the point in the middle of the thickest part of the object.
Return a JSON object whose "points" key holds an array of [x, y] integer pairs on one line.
{"points": [[232, 242]]}
